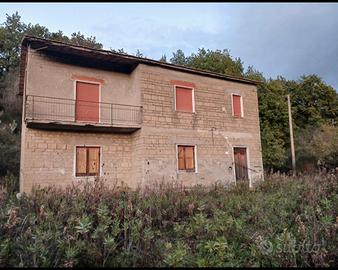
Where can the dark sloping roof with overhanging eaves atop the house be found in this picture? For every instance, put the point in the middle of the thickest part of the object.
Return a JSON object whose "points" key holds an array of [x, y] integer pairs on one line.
{"points": [[104, 59]]}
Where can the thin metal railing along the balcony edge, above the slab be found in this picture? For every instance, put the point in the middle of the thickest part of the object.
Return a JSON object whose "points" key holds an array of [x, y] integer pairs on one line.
{"points": [[79, 111]]}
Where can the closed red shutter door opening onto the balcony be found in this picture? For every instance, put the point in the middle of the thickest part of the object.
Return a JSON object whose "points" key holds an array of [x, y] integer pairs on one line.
{"points": [[87, 102]]}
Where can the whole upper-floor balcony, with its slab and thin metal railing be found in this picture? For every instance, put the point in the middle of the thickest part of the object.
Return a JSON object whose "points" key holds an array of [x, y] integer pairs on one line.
{"points": [[77, 115]]}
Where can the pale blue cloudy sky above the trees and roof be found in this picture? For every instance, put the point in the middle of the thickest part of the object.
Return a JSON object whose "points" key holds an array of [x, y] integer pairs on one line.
{"points": [[284, 39]]}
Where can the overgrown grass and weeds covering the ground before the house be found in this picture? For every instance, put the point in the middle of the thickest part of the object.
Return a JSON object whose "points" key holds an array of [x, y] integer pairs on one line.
{"points": [[283, 222]]}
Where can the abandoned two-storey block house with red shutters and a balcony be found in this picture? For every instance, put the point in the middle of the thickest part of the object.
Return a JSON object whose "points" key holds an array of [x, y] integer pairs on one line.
{"points": [[132, 121]]}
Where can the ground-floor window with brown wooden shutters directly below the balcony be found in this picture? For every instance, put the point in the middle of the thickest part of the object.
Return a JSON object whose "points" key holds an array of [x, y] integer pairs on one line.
{"points": [[87, 161]]}
